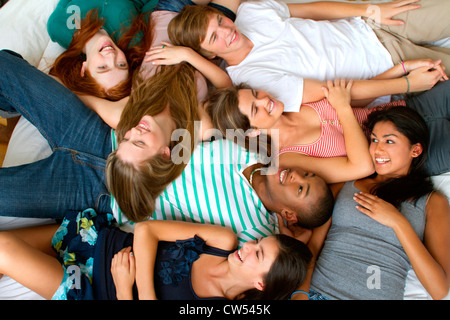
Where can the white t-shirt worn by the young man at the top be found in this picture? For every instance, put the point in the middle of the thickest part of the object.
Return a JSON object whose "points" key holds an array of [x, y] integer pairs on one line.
{"points": [[287, 50]]}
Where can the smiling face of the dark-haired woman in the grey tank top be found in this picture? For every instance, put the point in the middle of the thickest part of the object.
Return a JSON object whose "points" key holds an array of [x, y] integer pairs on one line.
{"points": [[391, 151]]}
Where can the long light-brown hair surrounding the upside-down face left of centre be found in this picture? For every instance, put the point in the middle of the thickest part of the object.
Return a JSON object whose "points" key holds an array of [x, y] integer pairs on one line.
{"points": [[136, 189]]}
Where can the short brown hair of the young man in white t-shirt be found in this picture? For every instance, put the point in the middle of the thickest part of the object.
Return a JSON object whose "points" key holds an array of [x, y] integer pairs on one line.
{"points": [[189, 27]]}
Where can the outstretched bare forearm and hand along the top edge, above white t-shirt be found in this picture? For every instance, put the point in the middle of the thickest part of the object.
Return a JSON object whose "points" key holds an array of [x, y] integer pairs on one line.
{"points": [[329, 10]]}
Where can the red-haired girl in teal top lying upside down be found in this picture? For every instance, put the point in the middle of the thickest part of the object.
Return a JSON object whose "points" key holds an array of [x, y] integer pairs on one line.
{"points": [[102, 50]]}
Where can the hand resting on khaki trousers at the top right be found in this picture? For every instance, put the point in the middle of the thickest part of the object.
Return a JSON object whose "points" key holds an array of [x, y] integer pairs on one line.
{"points": [[382, 13]]}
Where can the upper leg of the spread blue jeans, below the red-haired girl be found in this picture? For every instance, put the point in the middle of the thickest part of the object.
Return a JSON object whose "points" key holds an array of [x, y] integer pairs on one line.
{"points": [[60, 116]]}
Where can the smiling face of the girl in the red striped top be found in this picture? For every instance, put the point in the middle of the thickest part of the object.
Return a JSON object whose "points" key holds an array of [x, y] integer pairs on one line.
{"points": [[261, 108]]}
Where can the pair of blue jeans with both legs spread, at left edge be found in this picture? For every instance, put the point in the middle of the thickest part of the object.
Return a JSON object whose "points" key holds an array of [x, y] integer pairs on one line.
{"points": [[72, 178]]}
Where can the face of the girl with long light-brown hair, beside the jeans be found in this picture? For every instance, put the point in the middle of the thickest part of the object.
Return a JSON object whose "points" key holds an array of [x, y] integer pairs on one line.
{"points": [[143, 142]]}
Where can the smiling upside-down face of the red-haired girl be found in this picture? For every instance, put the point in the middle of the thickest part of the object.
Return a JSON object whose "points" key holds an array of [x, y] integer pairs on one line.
{"points": [[105, 62]]}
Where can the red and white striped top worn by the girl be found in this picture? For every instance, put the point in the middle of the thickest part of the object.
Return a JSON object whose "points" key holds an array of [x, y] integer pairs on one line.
{"points": [[331, 142]]}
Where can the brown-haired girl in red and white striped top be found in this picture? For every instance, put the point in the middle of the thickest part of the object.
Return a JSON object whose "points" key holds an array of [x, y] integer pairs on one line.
{"points": [[325, 137]]}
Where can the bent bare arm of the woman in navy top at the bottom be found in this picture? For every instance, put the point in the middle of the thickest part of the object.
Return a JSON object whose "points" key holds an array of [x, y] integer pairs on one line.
{"points": [[147, 235]]}
